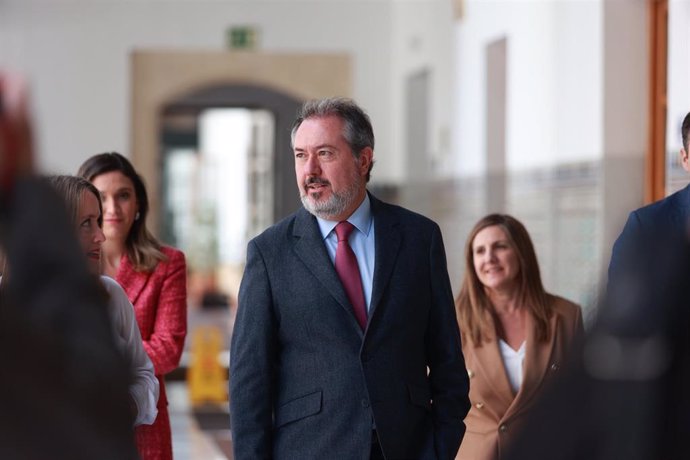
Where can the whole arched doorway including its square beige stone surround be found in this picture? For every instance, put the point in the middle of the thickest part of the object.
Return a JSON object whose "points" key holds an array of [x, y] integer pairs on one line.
{"points": [[211, 137]]}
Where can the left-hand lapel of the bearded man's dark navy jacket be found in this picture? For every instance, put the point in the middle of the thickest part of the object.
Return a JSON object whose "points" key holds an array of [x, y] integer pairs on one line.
{"points": [[311, 250]]}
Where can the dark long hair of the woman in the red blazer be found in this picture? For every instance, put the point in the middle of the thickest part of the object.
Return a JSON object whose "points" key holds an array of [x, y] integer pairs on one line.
{"points": [[143, 249]]}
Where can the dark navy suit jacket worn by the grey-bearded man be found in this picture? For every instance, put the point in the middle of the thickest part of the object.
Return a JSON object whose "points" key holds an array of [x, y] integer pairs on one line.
{"points": [[307, 382]]}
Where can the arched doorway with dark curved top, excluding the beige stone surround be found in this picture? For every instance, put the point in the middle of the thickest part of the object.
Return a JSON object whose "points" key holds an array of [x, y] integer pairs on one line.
{"points": [[225, 177]]}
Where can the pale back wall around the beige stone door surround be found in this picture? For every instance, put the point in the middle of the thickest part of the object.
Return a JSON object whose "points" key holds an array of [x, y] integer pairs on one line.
{"points": [[76, 55]]}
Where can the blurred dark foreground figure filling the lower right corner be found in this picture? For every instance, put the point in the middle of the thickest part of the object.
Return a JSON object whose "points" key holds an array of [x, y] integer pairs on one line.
{"points": [[626, 395]]}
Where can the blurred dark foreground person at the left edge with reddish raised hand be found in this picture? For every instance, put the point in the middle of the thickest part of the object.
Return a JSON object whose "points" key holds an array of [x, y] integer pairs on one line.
{"points": [[63, 390]]}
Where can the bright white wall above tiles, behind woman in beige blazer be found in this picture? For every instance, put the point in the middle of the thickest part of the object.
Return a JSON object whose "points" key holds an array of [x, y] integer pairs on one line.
{"points": [[554, 89]]}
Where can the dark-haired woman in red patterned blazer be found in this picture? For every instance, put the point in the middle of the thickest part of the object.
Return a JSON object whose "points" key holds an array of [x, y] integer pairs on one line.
{"points": [[153, 275]]}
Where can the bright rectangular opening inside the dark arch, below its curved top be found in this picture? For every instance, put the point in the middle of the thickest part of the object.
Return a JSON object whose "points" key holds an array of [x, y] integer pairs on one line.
{"points": [[217, 191]]}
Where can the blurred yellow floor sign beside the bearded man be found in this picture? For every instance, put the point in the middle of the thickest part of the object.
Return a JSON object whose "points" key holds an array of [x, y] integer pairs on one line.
{"points": [[206, 378]]}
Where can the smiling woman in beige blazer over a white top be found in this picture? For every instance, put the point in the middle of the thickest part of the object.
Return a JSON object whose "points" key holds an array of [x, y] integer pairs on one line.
{"points": [[515, 335]]}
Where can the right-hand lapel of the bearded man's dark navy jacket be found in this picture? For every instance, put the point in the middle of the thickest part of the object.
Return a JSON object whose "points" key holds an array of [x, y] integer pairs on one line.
{"points": [[387, 242]]}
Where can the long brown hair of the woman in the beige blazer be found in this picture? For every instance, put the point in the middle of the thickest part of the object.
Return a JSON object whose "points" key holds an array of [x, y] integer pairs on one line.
{"points": [[473, 305]]}
